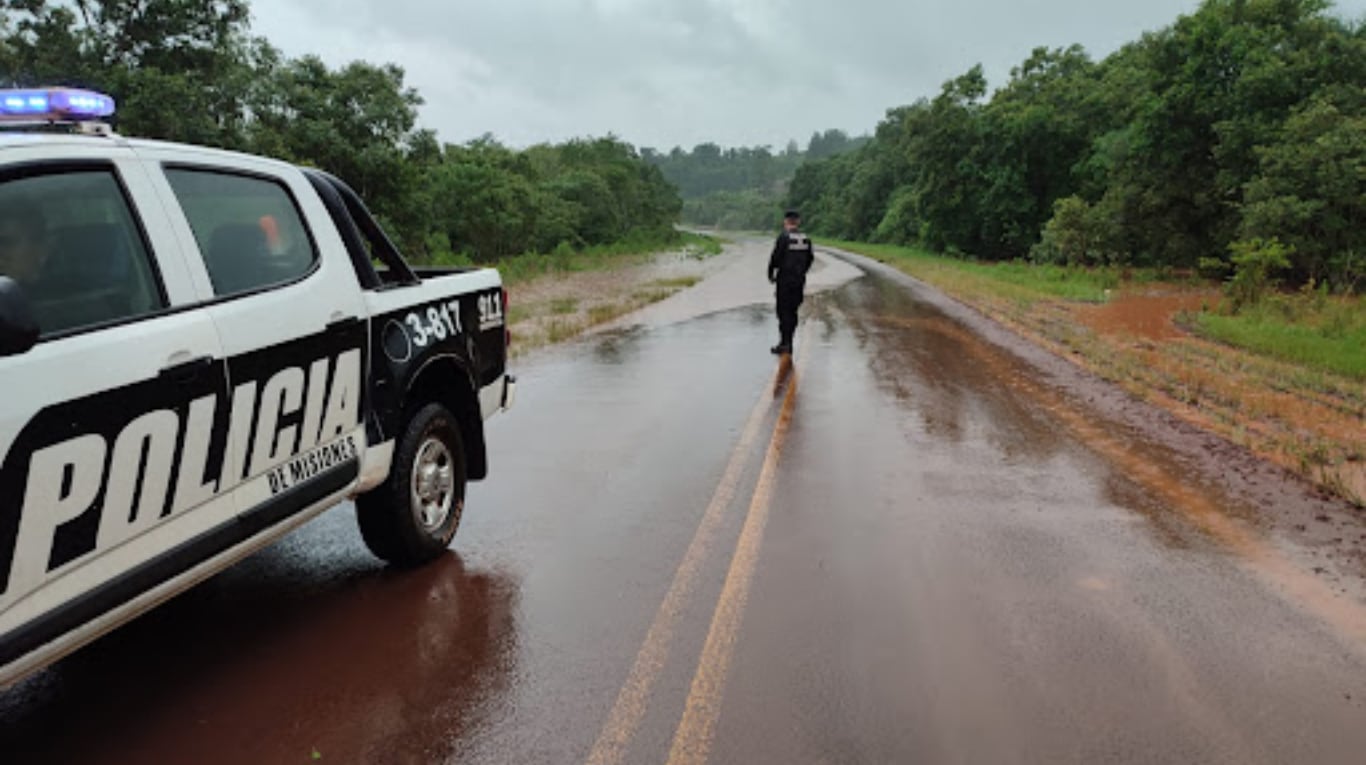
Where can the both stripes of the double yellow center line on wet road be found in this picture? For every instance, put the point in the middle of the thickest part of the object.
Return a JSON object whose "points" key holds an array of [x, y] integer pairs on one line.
{"points": [[693, 738]]}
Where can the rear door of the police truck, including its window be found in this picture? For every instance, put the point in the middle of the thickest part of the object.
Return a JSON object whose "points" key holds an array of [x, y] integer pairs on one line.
{"points": [[292, 319]]}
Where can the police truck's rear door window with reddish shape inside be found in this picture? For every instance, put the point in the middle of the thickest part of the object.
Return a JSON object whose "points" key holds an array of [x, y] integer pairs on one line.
{"points": [[249, 230]]}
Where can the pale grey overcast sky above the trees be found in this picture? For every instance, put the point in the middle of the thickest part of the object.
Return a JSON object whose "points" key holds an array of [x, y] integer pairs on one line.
{"points": [[665, 73]]}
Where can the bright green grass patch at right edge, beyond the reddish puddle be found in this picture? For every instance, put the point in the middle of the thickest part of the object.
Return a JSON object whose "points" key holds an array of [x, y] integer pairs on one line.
{"points": [[1326, 335]]}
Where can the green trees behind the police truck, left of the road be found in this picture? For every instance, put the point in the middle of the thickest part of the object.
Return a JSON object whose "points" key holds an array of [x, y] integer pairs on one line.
{"points": [[195, 73]]}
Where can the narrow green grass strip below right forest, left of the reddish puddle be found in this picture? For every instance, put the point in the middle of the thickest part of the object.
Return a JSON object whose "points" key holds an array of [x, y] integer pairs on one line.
{"points": [[1020, 281]]}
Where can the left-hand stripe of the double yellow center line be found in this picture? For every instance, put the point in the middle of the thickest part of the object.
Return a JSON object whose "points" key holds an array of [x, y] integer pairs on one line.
{"points": [[635, 697]]}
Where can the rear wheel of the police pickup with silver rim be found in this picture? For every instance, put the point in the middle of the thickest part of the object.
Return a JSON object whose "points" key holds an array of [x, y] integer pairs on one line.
{"points": [[412, 517]]}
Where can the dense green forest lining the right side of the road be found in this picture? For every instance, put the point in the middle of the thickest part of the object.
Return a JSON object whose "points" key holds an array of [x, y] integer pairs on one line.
{"points": [[1236, 137]]}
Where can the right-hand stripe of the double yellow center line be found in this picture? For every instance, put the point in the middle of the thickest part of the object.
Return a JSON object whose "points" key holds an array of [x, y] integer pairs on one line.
{"points": [[693, 740]]}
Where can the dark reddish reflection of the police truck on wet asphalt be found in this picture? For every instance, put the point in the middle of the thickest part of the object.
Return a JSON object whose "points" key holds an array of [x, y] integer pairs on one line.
{"points": [[404, 659]]}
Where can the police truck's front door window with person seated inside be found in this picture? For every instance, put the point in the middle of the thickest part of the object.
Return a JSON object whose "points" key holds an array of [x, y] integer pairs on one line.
{"points": [[72, 242]]}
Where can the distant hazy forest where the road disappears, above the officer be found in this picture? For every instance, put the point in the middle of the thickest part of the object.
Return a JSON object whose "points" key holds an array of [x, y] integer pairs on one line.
{"points": [[741, 189]]}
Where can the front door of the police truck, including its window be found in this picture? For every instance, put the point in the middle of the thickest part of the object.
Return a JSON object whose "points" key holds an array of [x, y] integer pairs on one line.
{"points": [[111, 428]]}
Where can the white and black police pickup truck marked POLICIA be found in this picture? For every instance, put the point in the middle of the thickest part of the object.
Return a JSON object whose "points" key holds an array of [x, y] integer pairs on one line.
{"points": [[201, 350]]}
